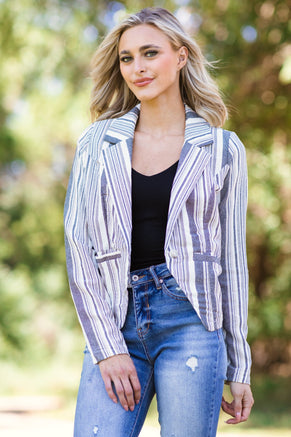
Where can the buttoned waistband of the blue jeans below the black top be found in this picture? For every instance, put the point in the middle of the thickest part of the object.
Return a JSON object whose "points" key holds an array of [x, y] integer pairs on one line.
{"points": [[153, 273]]}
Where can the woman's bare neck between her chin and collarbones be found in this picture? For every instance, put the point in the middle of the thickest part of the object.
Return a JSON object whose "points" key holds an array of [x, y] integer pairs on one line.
{"points": [[161, 118]]}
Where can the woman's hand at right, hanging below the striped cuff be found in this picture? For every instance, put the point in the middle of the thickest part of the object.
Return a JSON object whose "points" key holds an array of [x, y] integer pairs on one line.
{"points": [[241, 405]]}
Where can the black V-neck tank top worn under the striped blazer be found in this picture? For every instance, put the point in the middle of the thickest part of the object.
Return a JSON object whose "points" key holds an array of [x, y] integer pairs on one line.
{"points": [[150, 204]]}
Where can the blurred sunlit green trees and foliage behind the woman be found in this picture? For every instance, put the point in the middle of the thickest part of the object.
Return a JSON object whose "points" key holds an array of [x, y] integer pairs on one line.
{"points": [[46, 47]]}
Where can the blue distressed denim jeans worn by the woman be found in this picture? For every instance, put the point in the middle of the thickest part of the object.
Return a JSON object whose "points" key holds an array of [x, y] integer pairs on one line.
{"points": [[175, 357]]}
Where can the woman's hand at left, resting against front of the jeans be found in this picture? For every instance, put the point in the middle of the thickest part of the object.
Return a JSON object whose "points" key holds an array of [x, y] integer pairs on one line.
{"points": [[120, 371]]}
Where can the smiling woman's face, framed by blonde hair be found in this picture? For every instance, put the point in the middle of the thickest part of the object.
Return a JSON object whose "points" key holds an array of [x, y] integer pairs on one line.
{"points": [[148, 63]]}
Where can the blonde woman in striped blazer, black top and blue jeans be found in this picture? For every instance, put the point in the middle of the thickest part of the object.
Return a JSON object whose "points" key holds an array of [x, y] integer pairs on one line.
{"points": [[155, 238]]}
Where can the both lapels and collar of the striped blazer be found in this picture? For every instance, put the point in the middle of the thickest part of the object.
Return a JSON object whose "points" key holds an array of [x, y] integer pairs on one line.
{"points": [[117, 153]]}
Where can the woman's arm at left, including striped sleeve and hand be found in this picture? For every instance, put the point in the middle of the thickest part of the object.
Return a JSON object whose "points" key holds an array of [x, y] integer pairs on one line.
{"points": [[104, 340]]}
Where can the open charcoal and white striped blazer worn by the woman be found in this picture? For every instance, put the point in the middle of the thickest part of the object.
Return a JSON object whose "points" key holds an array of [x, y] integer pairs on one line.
{"points": [[205, 236]]}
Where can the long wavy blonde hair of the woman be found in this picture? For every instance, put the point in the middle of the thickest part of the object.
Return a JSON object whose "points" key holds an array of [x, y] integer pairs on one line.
{"points": [[112, 98]]}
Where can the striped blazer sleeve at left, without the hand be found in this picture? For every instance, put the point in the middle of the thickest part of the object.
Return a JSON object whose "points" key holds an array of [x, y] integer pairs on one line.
{"points": [[103, 337]]}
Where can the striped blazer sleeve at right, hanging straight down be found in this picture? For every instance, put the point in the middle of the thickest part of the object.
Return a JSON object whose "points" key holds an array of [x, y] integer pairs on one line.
{"points": [[234, 276]]}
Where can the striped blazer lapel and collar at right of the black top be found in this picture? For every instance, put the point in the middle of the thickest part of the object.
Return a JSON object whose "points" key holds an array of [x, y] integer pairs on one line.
{"points": [[194, 158]]}
